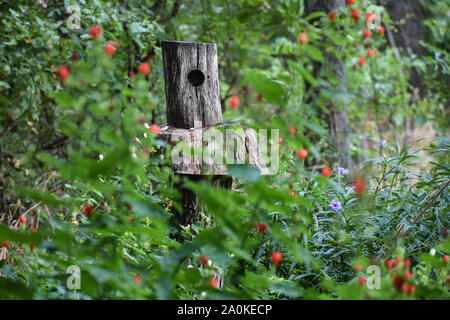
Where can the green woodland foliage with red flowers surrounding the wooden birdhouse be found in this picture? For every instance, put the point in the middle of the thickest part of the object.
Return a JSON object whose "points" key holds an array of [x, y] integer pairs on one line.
{"points": [[78, 162]]}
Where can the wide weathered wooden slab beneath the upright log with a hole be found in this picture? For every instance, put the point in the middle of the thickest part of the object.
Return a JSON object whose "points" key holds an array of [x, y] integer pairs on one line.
{"points": [[211, 156]]}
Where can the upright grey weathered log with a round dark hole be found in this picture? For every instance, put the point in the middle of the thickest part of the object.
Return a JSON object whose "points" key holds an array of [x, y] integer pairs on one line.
{"points": [[192, 84]]}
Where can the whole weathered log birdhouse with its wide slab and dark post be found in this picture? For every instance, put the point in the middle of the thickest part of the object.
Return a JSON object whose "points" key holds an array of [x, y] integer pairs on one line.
{"points": [[193, 108]]}
